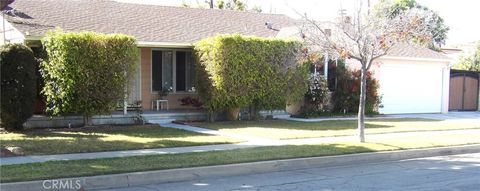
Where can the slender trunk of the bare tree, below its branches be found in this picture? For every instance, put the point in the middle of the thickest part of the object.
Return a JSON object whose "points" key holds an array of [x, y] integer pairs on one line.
{"points": [[361, 105]]}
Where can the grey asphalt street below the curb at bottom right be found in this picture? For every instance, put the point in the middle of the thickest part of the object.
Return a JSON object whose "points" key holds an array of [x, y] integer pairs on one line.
{"points": [[459, 172]]}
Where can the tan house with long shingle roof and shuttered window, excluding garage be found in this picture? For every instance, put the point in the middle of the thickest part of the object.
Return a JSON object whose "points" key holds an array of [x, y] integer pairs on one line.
{"points": [[165, 35]]}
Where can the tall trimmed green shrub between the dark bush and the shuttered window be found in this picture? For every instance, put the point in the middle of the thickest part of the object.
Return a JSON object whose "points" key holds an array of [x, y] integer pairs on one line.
{"points": [[86, 73]]}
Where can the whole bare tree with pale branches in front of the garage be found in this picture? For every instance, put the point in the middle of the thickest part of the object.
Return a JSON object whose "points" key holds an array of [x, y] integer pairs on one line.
{"points": [[365, 37]]}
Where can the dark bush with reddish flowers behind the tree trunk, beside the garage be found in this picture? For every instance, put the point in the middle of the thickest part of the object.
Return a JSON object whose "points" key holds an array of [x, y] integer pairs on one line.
{"points": [[346, 96]]}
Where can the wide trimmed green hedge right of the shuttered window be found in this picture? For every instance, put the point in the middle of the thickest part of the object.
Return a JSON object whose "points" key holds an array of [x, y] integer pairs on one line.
{"points": [[240, 71]]}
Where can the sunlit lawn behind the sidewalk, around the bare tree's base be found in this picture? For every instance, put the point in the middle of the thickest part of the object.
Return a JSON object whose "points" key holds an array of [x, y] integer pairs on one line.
{"points": [[281, 129]]}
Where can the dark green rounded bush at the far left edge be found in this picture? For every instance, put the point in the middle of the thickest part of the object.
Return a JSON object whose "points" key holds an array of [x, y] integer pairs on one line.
{"points": [[18, 85]]}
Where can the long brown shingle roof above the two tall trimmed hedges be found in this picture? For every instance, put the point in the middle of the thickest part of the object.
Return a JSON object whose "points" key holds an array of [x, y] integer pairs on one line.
{"points": [[151, 23]]}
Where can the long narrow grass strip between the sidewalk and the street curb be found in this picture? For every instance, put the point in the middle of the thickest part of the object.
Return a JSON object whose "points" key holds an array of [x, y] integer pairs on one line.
{"points": [[76, 168]]}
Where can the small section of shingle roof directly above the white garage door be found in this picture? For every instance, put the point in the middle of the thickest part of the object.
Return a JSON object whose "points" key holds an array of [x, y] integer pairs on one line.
{"points": [[415, 51]]}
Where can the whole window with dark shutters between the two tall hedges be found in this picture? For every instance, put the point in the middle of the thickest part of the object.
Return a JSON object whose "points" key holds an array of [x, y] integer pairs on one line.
{"points": [[173, 74]]}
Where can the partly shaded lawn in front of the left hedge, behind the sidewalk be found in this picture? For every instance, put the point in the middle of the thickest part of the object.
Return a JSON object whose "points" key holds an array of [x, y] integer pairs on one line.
{"points": [[105, 138]]}
